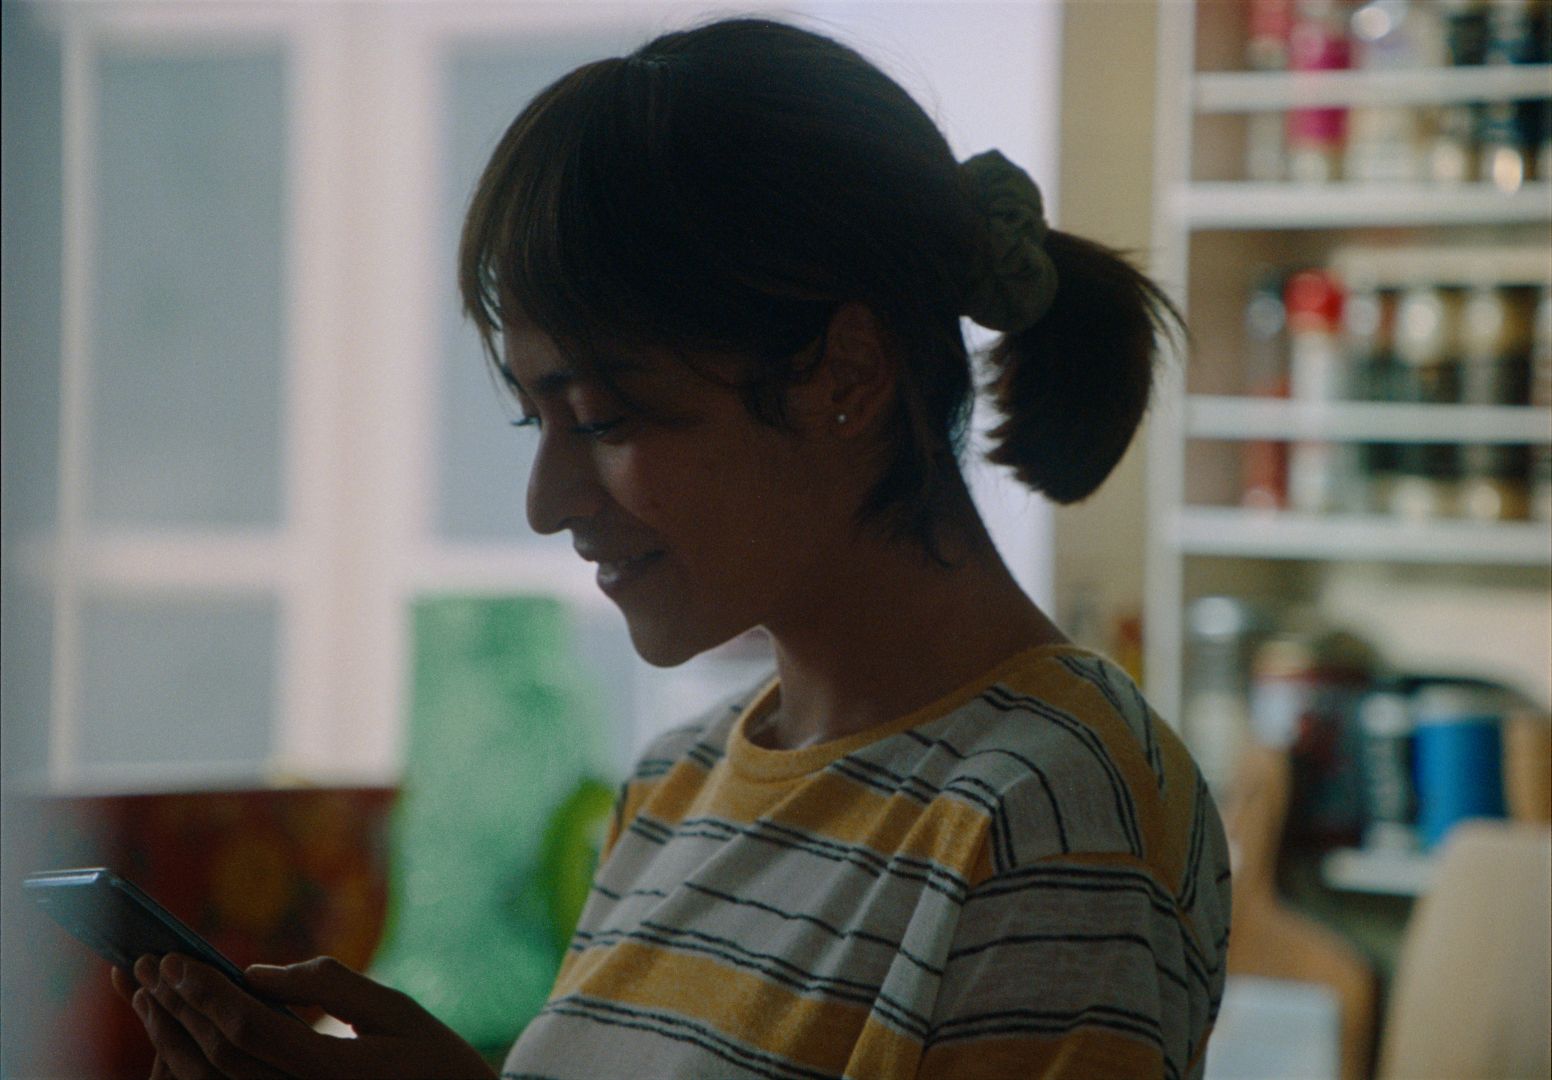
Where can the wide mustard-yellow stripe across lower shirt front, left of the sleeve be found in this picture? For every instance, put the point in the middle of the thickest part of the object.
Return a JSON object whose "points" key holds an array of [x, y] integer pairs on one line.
{"points": [[741, 1005]]}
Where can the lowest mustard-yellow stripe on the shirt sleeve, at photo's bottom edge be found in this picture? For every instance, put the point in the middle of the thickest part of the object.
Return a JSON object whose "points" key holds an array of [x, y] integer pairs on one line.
{"points": [[1089, 1054]]}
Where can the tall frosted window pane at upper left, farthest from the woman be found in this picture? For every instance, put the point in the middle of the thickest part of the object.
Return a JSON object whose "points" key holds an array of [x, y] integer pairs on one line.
{"points": [[187, 294]]}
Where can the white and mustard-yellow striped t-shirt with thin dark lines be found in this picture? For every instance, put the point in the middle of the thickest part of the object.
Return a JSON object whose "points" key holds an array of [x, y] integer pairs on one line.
{"points": [[1025, 879]]}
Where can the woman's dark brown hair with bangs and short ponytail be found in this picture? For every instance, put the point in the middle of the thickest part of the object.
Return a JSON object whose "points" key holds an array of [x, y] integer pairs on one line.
{"points": [[726, 190]]}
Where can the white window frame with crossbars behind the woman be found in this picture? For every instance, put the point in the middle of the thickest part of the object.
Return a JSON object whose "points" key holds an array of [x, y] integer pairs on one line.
{"points": [[356, 544]]}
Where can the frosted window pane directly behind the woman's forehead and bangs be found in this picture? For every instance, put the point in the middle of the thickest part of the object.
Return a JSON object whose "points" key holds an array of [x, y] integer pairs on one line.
{"points": [[483, 463]]}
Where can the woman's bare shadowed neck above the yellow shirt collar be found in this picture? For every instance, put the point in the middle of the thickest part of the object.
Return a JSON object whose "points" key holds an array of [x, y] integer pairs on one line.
{"points": [[890, 632]]}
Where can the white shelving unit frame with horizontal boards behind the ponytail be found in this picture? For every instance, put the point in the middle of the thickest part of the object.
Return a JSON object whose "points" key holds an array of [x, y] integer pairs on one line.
{"points": [[1210, 238]]}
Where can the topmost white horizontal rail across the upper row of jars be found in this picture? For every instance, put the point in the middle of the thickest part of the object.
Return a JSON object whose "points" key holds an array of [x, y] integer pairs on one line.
{"points": [[1238, 92]]}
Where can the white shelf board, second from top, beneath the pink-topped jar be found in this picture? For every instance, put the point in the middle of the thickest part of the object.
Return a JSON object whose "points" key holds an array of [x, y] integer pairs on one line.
{"points": [[1250, 206]]}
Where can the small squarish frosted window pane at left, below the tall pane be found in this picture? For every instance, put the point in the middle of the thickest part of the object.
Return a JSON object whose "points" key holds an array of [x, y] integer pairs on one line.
{"points": [[178, 680]]}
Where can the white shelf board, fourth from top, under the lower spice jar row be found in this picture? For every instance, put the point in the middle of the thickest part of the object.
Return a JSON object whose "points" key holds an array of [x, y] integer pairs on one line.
{"points": [[1280, 535]]}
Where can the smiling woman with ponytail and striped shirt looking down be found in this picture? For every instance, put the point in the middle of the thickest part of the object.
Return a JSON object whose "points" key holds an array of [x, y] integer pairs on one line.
{"points": [[724, 280]]}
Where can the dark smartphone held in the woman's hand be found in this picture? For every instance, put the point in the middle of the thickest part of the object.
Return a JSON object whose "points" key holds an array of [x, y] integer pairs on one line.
{"points": [[122, 924]]}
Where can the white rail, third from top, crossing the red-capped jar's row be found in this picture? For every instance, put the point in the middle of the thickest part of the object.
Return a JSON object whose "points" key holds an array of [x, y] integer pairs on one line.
{"points": [[1259, 418]]}
